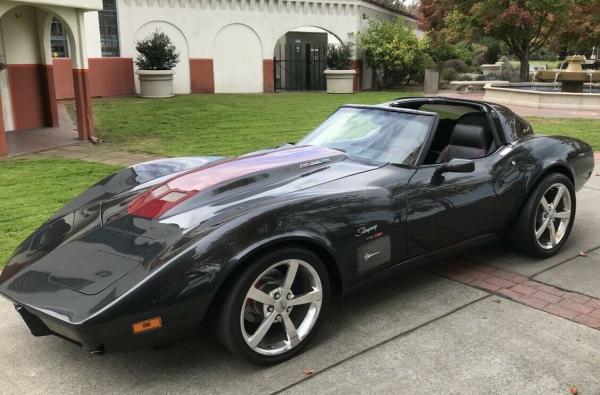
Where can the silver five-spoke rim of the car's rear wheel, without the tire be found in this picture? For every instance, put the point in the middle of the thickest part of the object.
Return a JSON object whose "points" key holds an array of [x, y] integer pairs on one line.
{"points": [[553, 216]]}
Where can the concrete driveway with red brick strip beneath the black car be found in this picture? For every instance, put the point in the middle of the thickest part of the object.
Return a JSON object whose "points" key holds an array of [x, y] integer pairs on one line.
{"points": [[422, 332]]}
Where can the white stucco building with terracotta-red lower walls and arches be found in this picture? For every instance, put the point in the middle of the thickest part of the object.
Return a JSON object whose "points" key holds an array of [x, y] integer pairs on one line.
{"points": [[64, 49]]}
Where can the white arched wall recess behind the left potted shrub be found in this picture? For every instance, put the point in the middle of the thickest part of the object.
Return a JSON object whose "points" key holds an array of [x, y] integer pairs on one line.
{"points": [[181, 79]]}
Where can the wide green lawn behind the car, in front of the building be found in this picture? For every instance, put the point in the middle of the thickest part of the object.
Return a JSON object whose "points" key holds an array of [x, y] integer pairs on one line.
{"points": [[218, 124]]}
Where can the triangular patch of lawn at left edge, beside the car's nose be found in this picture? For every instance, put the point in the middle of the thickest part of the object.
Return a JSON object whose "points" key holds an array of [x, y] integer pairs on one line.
{"points": [[31, 190]]}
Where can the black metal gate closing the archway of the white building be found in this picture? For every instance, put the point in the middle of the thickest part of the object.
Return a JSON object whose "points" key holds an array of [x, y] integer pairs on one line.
{"points": [[300, 67]]}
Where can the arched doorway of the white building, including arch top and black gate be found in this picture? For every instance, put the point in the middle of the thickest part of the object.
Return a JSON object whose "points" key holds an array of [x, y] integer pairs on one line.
{"points": [[300, 58]]}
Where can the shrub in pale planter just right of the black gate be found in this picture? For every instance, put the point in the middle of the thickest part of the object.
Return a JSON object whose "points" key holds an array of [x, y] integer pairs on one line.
{"points": [[339, 74]]}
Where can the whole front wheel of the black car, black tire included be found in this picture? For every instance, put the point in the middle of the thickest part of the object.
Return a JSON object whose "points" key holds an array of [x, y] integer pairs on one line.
{"points": [[274, 308]]}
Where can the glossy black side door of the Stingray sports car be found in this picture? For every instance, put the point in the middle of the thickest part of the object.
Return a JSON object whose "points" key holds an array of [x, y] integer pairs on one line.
{"points": [[446, 209]]}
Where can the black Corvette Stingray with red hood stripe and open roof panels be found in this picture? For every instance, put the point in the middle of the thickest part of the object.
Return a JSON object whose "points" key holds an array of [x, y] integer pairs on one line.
{"points": [[256, 246]]}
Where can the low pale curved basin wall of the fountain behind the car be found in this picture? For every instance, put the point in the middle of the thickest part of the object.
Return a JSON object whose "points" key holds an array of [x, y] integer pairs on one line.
{"points": [[543, 95]]}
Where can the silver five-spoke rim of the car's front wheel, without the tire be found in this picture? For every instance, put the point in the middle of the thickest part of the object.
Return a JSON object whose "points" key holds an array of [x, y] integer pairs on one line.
{"points": [[281, 307]]}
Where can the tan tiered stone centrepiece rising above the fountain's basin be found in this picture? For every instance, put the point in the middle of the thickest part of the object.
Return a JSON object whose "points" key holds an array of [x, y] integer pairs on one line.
{"points": [[573, 78]]}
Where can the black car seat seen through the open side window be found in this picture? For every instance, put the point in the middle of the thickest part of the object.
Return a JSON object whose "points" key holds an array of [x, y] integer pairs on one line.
{"points": [[466, 142]]}
